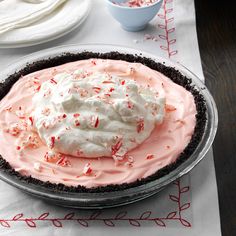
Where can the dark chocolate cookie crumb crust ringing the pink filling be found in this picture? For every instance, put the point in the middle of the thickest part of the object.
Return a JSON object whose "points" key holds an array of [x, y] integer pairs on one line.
{"points": [[170, 72]]}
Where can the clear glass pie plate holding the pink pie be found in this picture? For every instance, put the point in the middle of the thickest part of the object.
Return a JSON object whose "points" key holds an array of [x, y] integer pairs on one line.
{"points": [[116, 198]]}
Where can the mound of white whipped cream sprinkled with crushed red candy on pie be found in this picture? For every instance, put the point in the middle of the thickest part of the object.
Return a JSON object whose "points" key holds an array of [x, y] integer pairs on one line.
{"points": [[91, 115]]}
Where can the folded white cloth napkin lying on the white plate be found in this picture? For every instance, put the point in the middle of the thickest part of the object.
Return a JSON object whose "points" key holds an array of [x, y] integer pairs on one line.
{"points": [[18, 13]]}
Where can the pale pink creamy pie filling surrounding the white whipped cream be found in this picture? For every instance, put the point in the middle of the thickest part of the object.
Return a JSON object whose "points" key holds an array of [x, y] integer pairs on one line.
{"points": [[162, 147]]}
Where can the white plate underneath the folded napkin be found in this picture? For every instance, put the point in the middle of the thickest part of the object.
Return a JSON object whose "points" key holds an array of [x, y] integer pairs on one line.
{"points": [[66, 18]]}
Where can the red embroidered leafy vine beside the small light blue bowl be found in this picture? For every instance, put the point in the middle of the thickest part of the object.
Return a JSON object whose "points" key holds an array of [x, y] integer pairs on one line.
{"points": [[167, 29]]}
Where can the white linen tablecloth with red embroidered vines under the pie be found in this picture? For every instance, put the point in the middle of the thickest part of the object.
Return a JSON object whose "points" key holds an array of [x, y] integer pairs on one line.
{"points": [[187, 207]]}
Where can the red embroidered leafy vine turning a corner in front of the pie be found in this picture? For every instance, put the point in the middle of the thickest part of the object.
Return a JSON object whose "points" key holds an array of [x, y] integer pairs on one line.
{"points": [[97, 216]]}
